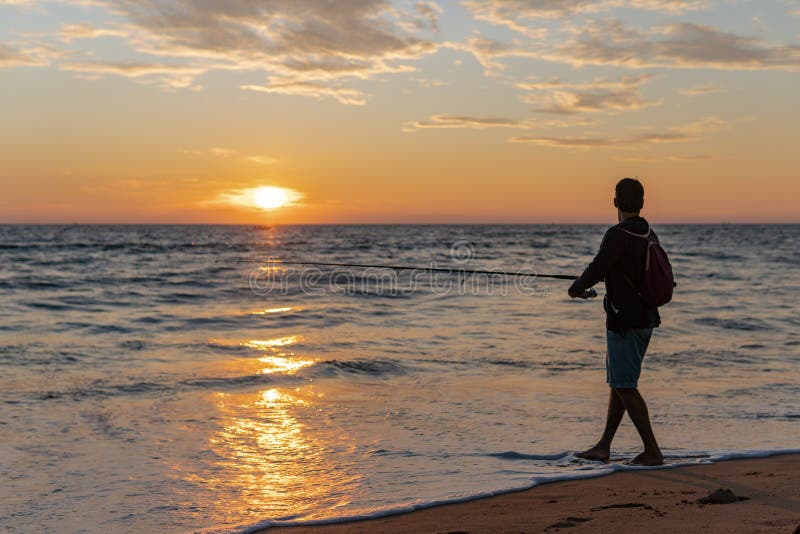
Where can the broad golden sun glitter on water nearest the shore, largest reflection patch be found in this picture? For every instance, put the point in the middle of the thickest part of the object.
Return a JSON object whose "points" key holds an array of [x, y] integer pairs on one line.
{"points": [[267, 464]]}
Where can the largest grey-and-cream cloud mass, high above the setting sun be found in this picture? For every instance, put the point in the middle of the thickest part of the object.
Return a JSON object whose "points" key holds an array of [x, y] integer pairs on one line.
{"points": [[310, 48]]}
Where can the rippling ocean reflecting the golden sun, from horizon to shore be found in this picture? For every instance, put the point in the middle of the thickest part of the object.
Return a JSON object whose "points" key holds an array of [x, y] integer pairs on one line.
{"points": [[160, 378]]}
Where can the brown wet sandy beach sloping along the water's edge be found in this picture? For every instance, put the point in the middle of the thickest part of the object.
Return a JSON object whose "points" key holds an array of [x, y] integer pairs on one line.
{"points": [[664, 500]]}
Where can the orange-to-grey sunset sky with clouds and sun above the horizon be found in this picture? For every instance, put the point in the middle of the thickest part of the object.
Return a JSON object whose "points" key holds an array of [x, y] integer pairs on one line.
{"points": [[369, 111]]}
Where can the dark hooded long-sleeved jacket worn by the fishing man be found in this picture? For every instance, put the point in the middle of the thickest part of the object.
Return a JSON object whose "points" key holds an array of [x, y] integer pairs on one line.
{"points": [[620, 262]]}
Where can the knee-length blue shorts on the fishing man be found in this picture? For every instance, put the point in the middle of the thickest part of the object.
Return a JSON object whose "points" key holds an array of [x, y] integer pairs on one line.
{"points": [[626, 351]]}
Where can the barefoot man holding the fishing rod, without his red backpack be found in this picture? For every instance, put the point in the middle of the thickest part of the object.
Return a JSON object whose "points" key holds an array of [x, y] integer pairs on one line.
{"points": [[629, 322]]}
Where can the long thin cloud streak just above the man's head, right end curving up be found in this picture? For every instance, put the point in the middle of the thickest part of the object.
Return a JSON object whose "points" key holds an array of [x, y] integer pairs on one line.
{"points": [[676, 134]]}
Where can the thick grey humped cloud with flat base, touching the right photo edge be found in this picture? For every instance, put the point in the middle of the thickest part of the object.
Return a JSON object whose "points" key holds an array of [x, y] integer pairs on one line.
{"points": [[680, 45]]}
